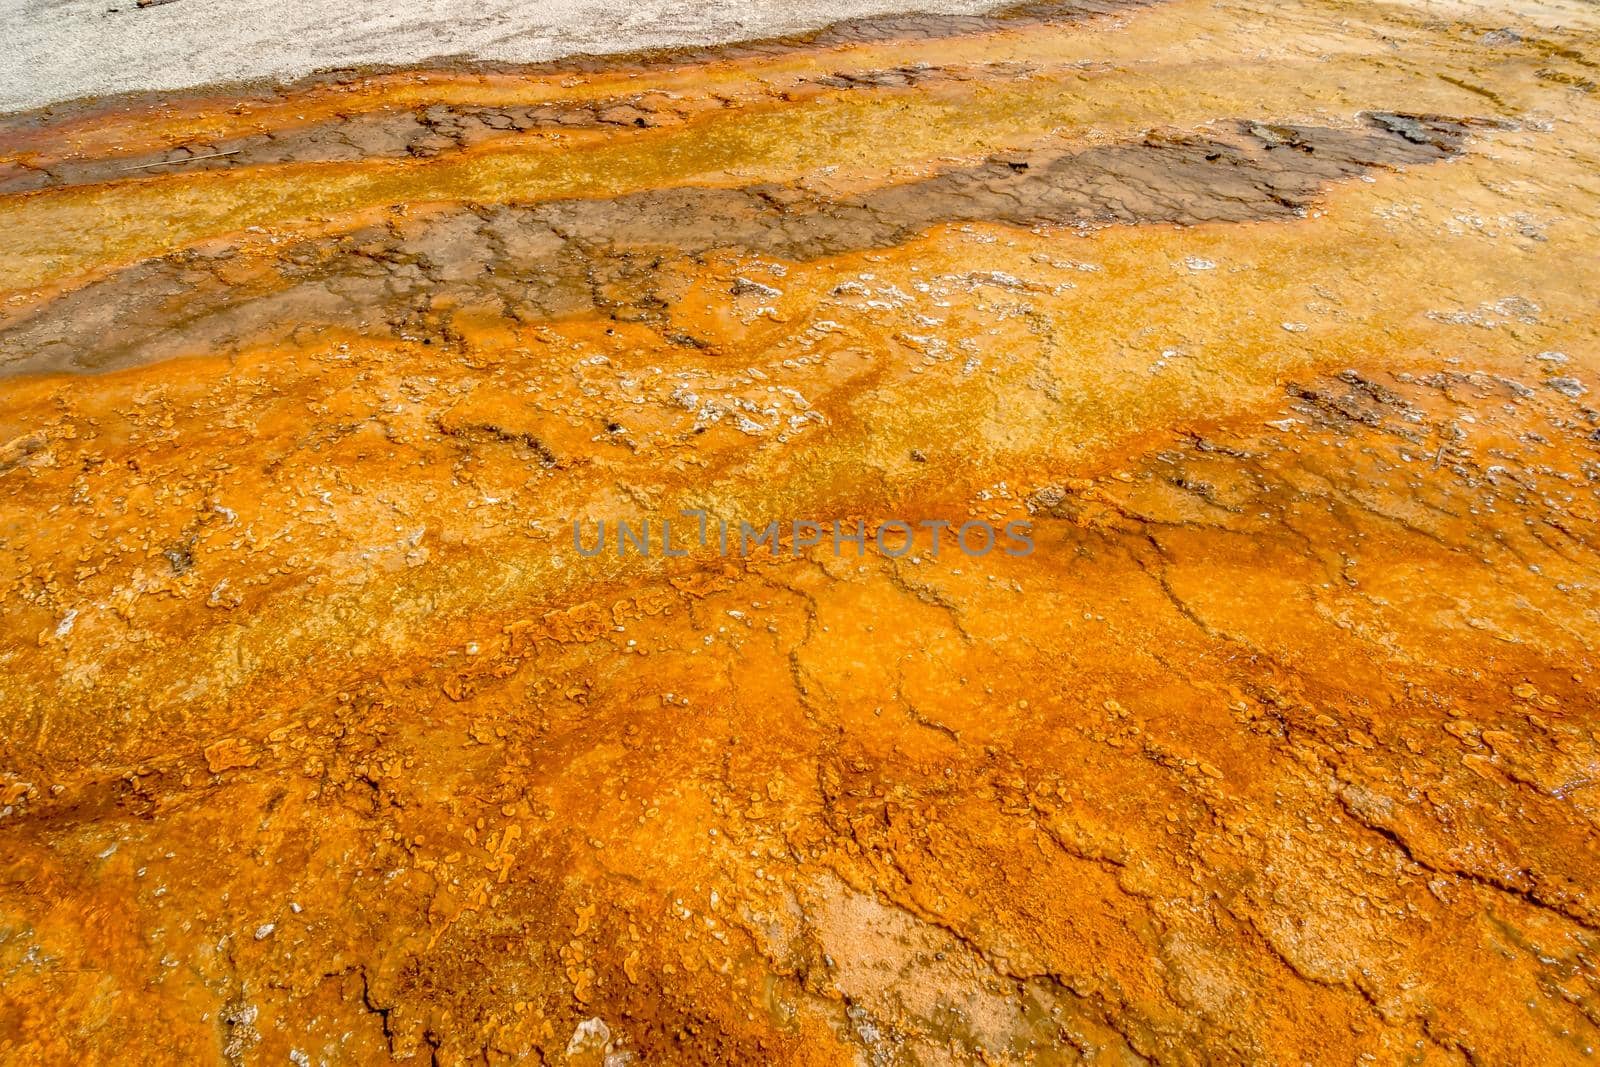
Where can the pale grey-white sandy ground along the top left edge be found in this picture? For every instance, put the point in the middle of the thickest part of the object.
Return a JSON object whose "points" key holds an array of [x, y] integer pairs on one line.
{"points": [[70, 49]]}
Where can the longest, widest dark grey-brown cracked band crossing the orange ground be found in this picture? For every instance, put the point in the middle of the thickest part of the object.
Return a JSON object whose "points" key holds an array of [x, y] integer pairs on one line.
{"points": [[540, 262]]}
